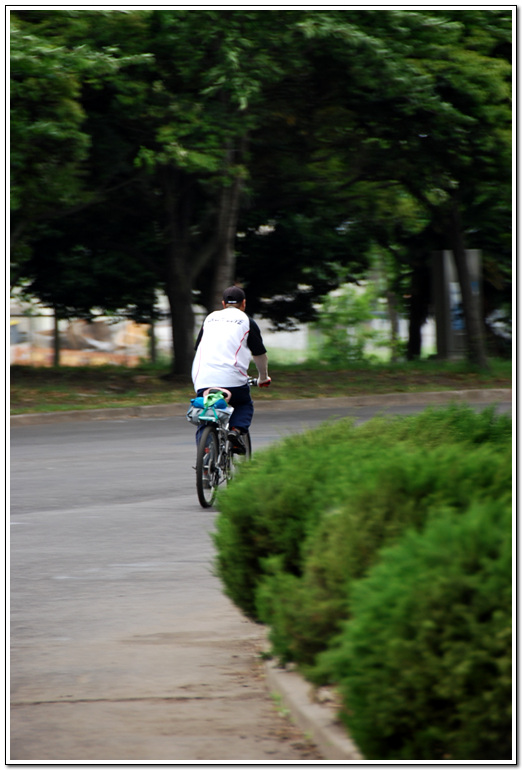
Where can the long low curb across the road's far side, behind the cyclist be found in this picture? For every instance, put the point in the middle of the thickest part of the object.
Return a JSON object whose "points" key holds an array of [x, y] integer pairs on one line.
{"points": [[487, 396]]}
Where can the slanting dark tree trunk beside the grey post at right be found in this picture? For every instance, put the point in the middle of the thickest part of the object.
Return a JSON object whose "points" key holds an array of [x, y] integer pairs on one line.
{"points": [[474, 329]]}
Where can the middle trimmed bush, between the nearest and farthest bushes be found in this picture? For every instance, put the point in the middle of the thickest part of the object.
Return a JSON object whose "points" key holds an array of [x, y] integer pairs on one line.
{"points": [[400, 490]]}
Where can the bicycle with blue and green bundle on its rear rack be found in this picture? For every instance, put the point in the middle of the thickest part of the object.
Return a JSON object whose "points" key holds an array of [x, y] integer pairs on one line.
{"points": [[215, 458]]}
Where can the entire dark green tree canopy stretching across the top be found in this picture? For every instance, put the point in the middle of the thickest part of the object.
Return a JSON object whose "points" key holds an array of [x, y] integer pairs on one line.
{"points": [[341, 129]]}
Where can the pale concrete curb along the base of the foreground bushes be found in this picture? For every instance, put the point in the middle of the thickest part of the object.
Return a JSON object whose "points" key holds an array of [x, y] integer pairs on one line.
{"points": [[318, 721]]}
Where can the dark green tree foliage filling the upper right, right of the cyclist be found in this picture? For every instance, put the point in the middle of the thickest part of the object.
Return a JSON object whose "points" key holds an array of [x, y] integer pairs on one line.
{"points": [[398, 117]]}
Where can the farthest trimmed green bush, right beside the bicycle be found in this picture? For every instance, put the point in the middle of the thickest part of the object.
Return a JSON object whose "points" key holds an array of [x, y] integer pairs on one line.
{"points": [[280, 498]]}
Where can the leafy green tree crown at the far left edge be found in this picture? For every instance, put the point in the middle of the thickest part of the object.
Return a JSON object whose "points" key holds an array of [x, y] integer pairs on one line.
{"points": [[50, 147]]}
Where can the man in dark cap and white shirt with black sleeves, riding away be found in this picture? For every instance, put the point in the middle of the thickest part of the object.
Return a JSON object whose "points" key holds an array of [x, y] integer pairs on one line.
{"points": [[225, 345]]}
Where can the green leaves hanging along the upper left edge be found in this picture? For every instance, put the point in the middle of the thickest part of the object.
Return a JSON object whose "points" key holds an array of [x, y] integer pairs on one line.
{"points": [[52, 143]]}
